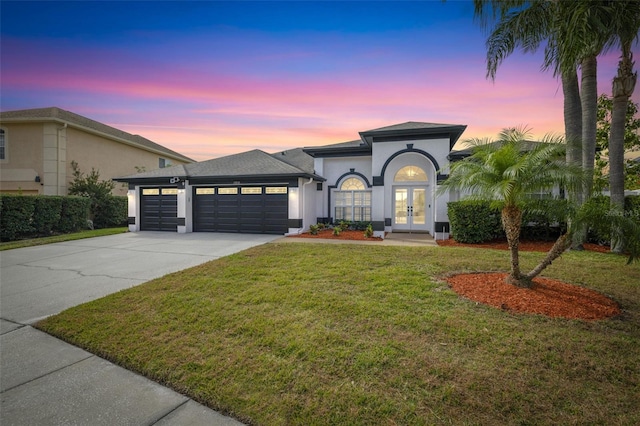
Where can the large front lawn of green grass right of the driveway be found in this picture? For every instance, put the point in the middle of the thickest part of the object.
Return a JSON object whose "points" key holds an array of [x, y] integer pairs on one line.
{"points": [[313, 334]]}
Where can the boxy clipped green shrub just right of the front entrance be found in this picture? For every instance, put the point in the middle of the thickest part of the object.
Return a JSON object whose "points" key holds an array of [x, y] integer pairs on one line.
{"points": [[474, 221]]}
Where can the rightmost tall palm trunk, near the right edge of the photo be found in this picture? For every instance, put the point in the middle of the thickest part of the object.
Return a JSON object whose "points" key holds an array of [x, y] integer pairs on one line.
{"points": [[623, 86]]}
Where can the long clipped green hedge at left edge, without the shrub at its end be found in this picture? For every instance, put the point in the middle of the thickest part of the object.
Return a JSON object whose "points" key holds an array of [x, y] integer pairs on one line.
{"points": [[25, 216]]}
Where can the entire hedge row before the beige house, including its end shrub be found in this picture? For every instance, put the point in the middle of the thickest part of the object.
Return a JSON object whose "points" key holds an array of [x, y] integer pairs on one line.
{"points": [[25, 216]]}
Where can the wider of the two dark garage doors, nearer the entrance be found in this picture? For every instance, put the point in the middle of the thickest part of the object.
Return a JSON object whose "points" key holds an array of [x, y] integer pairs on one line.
{"points": [[256, 209]]}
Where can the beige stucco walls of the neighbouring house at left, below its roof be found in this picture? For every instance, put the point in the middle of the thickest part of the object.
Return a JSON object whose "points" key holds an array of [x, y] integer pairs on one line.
{"points": [[47, 149]]}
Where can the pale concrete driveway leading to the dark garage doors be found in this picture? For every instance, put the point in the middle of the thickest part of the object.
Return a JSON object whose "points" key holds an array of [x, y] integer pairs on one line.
{"points": [[36, 282]]}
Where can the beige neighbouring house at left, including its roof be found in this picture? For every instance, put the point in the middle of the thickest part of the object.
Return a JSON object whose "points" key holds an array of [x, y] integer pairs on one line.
{"points": [[37, 147]]}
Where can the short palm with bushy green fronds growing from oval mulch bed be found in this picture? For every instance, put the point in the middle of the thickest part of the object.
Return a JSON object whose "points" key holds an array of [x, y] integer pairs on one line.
{"points": [[508, 172]]}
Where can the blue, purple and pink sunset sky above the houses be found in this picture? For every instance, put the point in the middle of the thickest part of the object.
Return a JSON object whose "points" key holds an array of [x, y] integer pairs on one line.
{"points": [[211, 78]]}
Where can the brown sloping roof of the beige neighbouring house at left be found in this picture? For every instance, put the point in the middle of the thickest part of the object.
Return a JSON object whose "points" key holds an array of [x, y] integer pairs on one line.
{"points": [[74, 120]]}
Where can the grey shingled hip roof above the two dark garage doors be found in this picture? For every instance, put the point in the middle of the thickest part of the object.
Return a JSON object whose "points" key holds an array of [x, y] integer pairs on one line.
{"points": [[255, 163]]}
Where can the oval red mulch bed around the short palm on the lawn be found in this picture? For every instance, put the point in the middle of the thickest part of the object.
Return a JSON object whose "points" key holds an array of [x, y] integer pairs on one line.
{"points": [[548, 297]]}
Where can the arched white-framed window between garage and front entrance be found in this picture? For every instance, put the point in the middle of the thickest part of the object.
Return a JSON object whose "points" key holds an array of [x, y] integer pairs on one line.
{"points": [[352, 201]]}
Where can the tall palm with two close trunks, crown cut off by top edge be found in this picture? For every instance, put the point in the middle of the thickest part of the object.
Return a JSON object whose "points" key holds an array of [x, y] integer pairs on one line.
{"points": [[575, 35]]}
